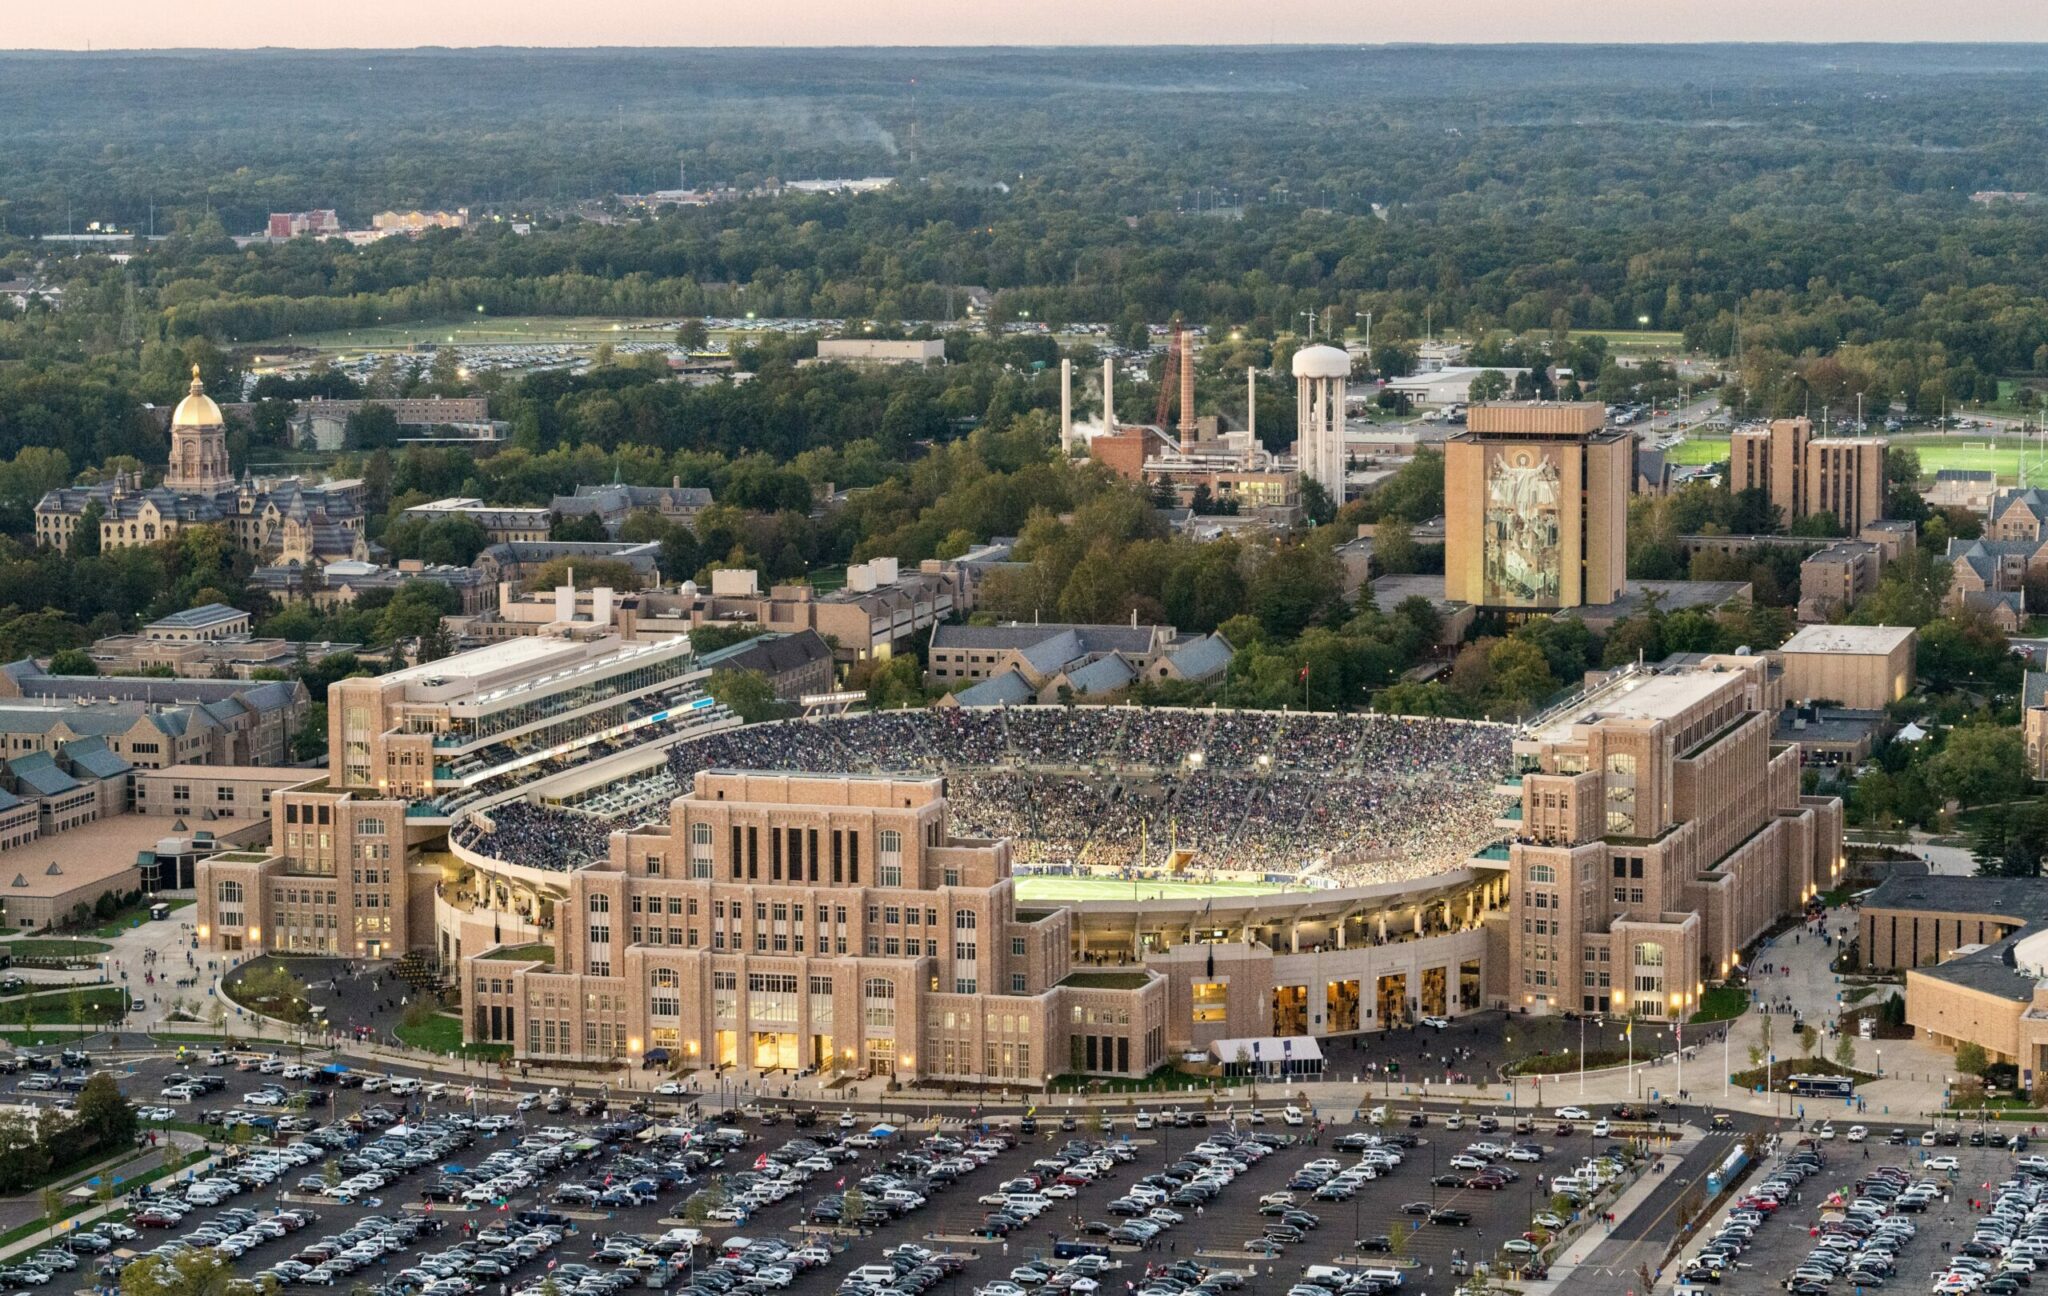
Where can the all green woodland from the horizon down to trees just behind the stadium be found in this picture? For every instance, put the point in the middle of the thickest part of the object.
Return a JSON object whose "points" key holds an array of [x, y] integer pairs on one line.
{"points": [[1820, 220]]}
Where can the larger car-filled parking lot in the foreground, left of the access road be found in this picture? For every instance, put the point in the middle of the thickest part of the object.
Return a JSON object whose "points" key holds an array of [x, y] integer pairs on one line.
{"points": [[413, 1186]]}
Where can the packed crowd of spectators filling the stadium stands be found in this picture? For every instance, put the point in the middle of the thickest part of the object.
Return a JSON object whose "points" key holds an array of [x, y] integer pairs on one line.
{"points": [[1353, 797]]}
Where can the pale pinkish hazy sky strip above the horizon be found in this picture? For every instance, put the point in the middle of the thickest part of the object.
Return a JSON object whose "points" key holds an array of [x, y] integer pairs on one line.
{"points": [[400, 24]]}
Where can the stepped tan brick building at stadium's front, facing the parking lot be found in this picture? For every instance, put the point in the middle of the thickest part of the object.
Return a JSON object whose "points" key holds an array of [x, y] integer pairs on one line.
{"points": [[833, 922]]}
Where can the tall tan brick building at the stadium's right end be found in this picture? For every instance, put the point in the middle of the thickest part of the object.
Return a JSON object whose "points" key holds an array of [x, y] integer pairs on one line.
{"points": [[1660, 832]]}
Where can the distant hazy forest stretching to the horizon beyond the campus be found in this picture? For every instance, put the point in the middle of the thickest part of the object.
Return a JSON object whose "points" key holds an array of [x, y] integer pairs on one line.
{"points": [[1822, 198]]}
